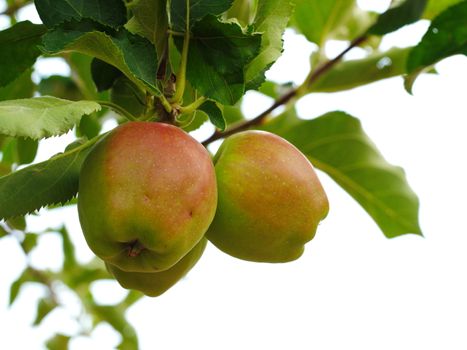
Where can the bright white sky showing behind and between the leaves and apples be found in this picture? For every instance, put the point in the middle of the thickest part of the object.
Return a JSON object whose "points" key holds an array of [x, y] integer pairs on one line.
{"points": [[352, 288]]}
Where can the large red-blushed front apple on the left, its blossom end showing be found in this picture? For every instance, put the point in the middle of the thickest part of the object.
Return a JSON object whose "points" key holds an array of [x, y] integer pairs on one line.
{"points": [[147, 194]]}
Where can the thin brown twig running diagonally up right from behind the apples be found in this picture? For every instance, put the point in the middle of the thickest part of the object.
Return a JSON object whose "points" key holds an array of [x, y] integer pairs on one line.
{"points": [[312, 77]]}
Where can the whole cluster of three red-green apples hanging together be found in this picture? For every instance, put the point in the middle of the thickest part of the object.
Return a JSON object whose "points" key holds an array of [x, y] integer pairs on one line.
{"points": [[150, 197]]}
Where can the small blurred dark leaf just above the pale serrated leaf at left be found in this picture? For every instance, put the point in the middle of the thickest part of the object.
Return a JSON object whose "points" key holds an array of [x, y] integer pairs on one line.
{"points": [[61, 87]]}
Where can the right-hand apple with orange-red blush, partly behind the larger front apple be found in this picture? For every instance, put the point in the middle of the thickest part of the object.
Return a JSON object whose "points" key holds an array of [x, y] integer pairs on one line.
{"points": [[270, 199]]}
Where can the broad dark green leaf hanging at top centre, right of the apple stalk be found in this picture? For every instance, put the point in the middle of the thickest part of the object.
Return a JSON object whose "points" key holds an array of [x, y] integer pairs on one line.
{"points": [[217, 58]]}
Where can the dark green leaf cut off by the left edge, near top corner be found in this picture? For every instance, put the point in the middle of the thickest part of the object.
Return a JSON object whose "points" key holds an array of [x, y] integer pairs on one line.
{"points": [[19, 49]]}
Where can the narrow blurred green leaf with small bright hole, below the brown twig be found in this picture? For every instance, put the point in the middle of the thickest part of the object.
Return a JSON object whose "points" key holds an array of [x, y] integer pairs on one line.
{"points": [[350, 74]]}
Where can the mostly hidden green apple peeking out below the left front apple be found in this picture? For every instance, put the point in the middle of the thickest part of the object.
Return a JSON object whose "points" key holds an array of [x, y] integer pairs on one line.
{"points": [[154, 284]]}
